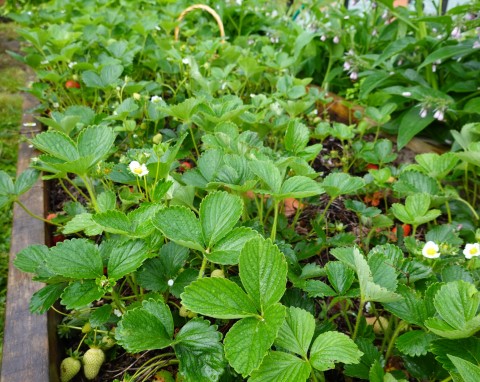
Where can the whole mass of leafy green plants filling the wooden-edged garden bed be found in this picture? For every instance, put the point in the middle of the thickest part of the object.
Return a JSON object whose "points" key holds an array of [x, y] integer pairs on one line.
{"points": [[220, 222]]}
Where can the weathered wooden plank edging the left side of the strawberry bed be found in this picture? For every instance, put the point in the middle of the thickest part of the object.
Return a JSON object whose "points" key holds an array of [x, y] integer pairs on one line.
{"points": [[29, 339]]}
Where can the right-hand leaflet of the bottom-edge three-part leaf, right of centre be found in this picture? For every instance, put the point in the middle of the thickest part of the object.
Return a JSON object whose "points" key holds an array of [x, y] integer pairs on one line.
{"points": [[331, 347]]}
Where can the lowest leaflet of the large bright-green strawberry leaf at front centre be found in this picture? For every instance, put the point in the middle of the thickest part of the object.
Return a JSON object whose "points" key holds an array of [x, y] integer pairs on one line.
{"points": [[249, 339]]}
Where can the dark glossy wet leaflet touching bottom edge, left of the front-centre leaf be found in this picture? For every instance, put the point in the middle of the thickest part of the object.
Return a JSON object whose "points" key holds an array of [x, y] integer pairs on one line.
{"points": [[199, 351]]}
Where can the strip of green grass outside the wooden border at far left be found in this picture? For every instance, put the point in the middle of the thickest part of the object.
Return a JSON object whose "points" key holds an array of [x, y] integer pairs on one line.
{"points": [[11, 79]]}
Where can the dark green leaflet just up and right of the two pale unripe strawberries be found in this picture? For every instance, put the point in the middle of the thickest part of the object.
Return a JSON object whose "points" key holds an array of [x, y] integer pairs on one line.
{"points": [[145, 328]]}
